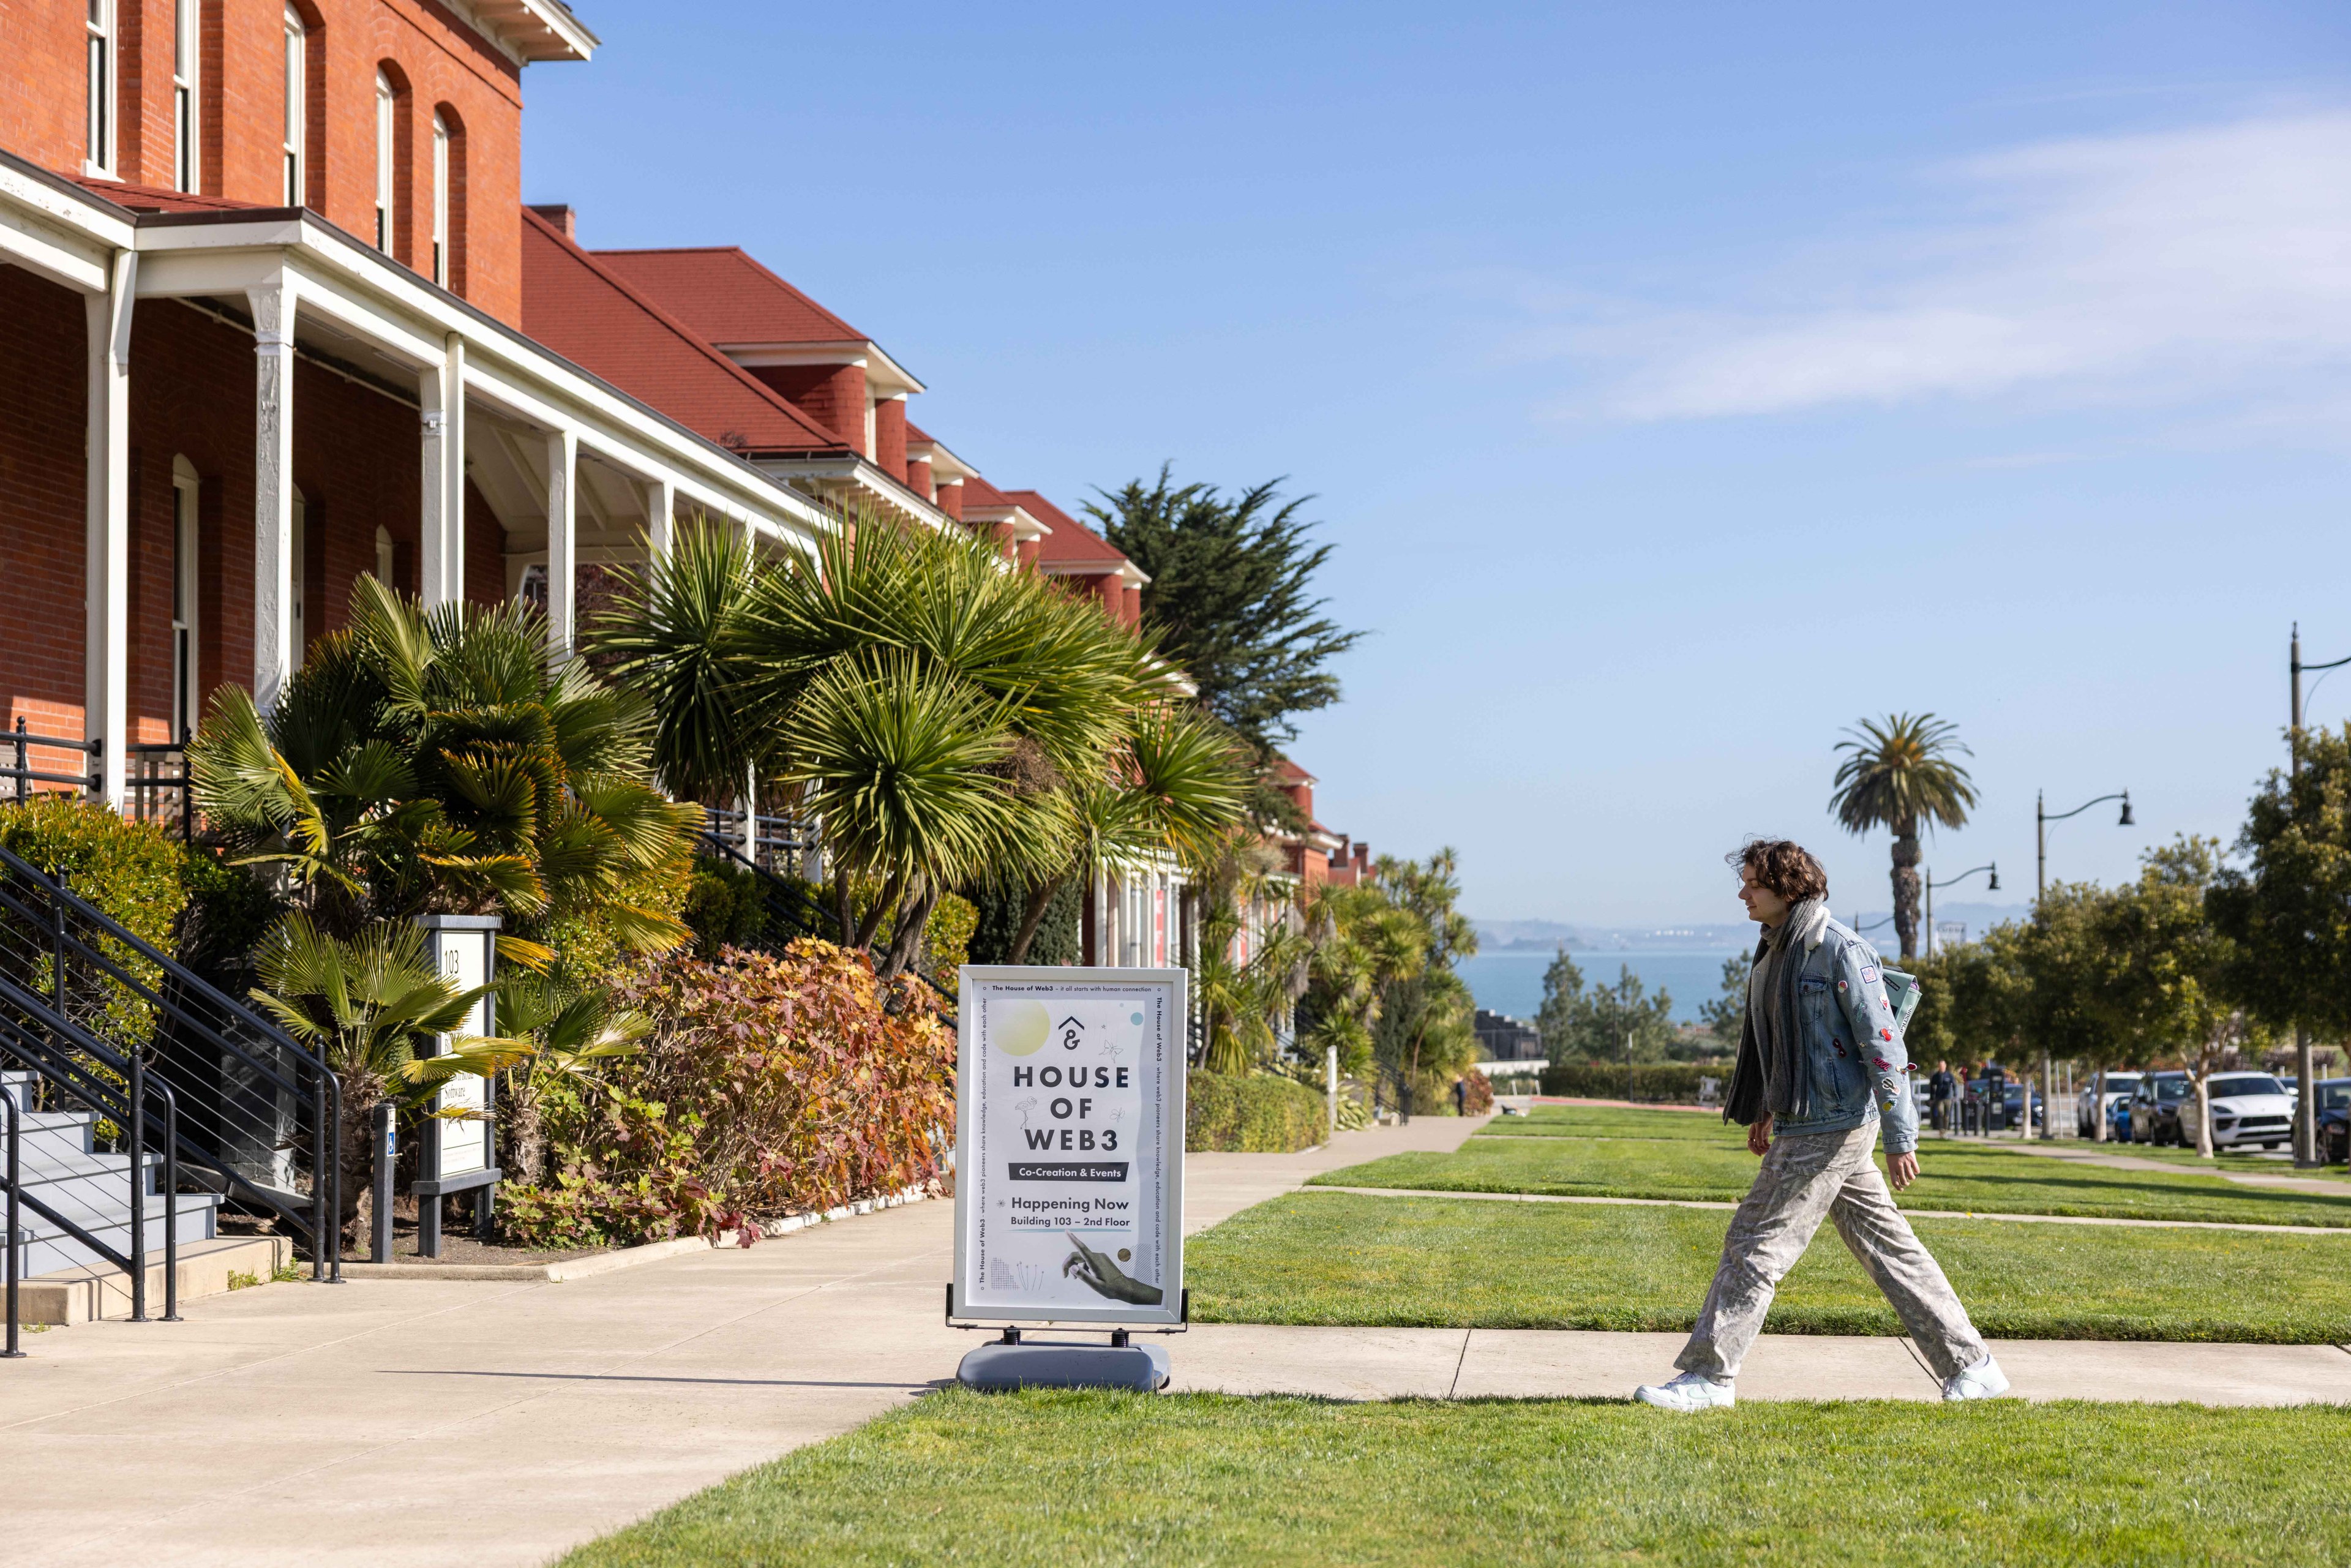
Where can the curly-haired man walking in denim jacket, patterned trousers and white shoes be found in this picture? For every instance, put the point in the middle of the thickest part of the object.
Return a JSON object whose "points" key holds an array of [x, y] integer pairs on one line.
{"points": [[1821, 1059]]}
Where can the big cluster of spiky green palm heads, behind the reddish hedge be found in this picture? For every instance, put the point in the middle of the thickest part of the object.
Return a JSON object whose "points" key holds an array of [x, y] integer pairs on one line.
{"points": [[942, 716]]}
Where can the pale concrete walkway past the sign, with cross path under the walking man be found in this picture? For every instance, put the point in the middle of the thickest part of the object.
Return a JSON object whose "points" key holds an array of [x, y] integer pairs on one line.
{"points": [[396, 1423]]}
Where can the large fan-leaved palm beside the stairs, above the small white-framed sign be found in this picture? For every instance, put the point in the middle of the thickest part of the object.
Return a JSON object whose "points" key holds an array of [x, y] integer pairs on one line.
{"points": [[436, 763]]}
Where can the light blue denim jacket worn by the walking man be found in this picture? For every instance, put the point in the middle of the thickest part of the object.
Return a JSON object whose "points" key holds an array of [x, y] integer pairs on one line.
{"points": [[1851, 1043]]}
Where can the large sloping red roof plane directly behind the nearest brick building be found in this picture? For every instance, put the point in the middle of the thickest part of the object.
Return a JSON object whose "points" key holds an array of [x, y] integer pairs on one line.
{"points": [[596, 319]]}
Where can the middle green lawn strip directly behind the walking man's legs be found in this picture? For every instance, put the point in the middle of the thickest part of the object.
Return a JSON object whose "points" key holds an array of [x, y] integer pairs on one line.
{"points": [[1459, 1264]]}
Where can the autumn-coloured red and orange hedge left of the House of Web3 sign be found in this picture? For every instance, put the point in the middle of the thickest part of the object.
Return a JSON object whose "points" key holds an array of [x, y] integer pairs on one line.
{"points": [[770, 1085]]}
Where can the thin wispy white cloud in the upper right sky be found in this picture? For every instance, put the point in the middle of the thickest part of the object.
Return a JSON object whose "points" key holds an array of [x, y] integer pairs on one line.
{"points": [[2152, 267]]}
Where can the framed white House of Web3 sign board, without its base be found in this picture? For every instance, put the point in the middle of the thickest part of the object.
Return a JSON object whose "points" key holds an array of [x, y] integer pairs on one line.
{"points": [[1069, 1144]]}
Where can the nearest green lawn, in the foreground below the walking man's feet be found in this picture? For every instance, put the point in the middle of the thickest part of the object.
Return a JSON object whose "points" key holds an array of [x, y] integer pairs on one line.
{"points": [[1076, 1480]]}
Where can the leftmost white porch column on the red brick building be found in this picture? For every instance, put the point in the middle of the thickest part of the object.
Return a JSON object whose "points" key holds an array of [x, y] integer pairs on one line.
{"points": [[109, 528]]}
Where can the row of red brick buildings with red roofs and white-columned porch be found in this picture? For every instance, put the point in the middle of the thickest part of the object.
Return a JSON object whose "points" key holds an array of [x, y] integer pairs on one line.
{"points": [[276, 314]]}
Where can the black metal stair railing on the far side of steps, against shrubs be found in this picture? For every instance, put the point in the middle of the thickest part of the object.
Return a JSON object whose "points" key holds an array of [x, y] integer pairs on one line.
{"points": [[201, 1036]]}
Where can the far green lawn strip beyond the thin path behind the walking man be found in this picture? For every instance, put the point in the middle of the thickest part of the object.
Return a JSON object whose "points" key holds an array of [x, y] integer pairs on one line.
{"points": [[1675, 1155]]}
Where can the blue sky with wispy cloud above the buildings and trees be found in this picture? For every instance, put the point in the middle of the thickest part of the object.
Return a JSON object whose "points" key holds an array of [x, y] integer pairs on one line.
{"points": [[1677, 382]]}
